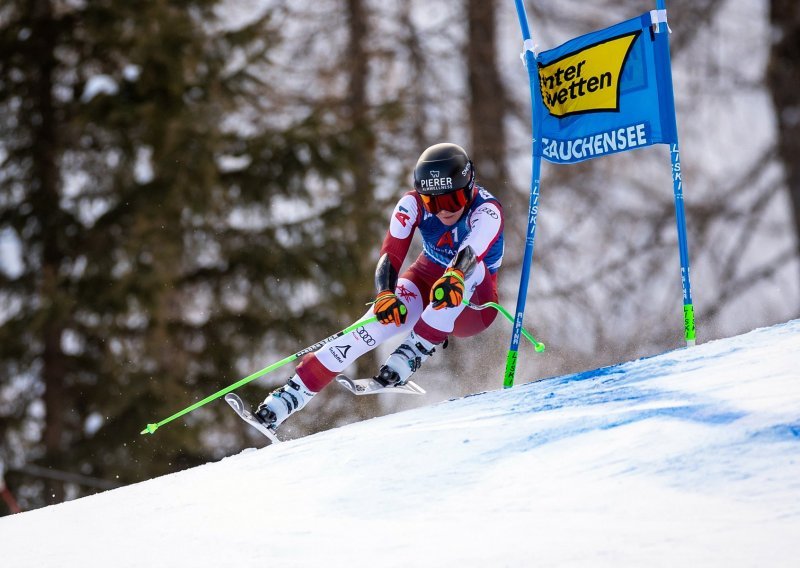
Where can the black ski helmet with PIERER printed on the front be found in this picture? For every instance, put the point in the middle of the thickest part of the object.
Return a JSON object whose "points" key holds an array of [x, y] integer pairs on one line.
{"points": [[444, 168]]}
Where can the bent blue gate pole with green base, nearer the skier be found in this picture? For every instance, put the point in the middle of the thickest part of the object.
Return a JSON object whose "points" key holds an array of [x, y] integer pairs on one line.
{"points": [[533, 207]]}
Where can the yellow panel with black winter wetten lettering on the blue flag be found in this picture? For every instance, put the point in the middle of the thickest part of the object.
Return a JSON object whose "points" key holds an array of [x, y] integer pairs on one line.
{"points": [[587, 80]]}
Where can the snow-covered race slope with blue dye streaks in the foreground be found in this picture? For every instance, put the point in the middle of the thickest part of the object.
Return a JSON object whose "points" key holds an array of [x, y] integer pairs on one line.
{"points": [[691, 458]]}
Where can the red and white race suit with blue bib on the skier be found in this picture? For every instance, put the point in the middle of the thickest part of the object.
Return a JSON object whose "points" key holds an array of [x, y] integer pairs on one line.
{"points": [[480, 227]]}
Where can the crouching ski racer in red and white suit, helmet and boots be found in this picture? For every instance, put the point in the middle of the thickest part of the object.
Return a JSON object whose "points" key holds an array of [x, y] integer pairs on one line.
{"points": [[462, 231]]}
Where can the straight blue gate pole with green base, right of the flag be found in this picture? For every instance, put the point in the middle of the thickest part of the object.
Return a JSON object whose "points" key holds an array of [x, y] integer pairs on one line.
{"points": [[667, 95]]}
